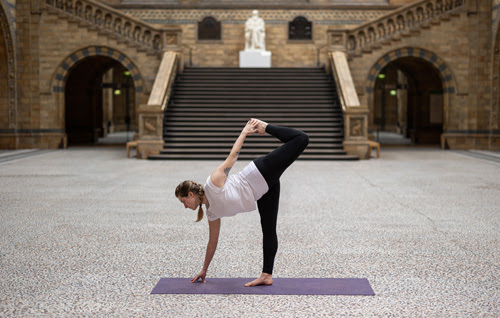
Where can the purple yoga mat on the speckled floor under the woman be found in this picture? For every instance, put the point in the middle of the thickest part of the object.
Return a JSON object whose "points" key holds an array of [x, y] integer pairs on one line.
{"points": [[281, 286]]}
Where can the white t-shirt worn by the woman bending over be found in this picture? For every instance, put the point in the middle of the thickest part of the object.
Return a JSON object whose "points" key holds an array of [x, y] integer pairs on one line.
{"points": [[239, 193]]}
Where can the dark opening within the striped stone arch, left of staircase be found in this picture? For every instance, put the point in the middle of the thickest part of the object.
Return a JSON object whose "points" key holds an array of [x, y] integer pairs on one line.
{"points": [[99, 99]]}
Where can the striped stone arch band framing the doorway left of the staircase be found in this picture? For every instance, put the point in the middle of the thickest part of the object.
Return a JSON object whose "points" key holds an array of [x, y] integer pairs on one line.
{"points": [[61, 74]]}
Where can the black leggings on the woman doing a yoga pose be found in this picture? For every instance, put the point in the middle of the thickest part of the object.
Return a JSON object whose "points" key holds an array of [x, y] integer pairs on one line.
{"points": [[272, 166]]}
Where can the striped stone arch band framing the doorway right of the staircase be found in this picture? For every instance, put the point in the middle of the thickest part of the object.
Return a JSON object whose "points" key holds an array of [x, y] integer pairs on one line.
{"points": [[447, 78]]}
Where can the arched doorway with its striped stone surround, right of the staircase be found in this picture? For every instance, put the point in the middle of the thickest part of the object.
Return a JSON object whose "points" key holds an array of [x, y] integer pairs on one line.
{"points": [[409, 93]]}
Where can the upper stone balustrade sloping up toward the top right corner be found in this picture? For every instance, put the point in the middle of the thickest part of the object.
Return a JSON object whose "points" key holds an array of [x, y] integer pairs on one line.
{"points": [[394, 24]]}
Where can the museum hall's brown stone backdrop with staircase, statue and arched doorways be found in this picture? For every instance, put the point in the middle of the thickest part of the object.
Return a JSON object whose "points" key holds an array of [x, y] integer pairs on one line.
{"points": [[177, 79]]}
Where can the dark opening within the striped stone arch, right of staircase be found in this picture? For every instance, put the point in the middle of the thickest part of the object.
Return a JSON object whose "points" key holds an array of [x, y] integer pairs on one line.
{"points": [[408, 103]]}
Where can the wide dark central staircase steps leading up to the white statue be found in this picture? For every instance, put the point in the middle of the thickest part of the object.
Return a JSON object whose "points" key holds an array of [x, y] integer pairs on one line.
{"points": [[209, 107]]}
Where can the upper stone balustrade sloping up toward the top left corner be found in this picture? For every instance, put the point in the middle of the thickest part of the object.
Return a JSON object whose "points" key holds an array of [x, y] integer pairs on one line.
{"points": [[118, 24]]}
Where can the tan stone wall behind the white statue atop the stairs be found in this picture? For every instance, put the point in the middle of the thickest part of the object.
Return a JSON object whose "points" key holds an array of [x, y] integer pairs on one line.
{"points": [[225, 52]]}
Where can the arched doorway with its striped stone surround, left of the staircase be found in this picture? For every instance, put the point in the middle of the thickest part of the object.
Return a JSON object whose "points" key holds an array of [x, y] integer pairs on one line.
{"points": [[104, 72]]}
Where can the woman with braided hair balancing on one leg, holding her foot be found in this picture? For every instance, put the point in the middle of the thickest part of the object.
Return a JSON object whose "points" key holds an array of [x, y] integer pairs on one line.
{"points": [[226, 195]]}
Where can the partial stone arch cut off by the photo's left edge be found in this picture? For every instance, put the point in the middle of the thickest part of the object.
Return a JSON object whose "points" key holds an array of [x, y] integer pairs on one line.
{"points": [[6, 24]]}
